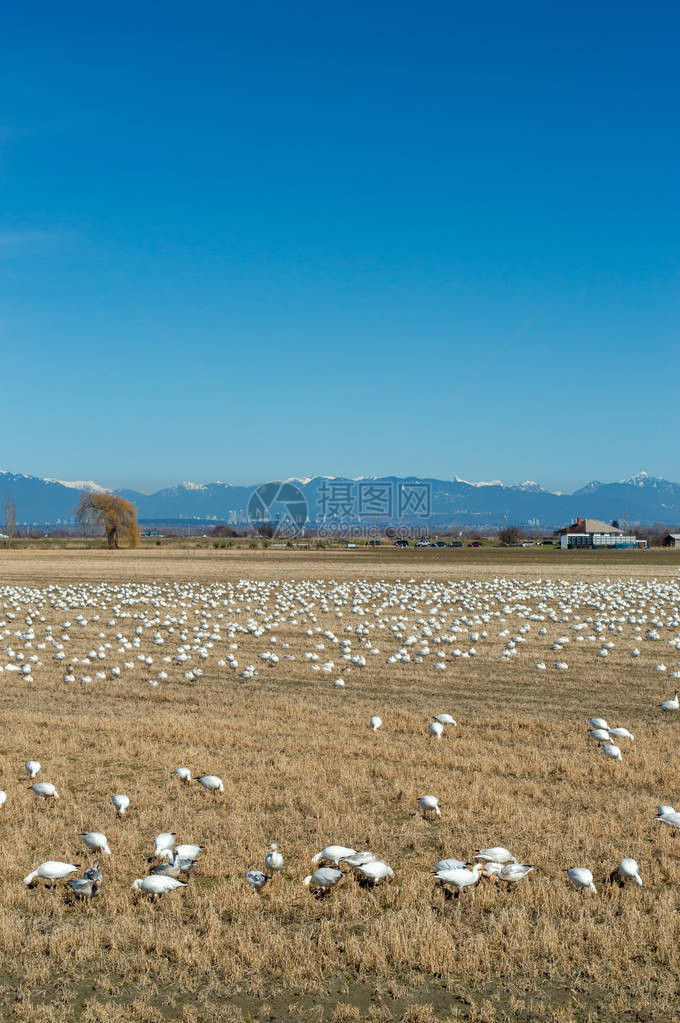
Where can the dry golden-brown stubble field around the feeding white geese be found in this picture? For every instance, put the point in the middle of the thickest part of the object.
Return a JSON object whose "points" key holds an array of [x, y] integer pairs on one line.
{"points": [[301, 767]]}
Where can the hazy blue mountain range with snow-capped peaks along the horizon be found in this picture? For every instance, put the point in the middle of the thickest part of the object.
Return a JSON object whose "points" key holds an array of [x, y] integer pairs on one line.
{"points": [[642, 499]]}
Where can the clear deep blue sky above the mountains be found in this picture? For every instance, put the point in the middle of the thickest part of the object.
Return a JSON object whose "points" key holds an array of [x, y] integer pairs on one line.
{"points": [[339, 212]]}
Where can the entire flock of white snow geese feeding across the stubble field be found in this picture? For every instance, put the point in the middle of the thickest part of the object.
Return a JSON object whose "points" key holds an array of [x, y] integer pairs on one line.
{"points": [[427, 621]]}
